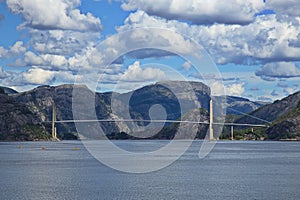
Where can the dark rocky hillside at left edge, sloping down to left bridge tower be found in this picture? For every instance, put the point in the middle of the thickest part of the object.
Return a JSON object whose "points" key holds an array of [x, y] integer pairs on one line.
{"points": [[17, 122]]}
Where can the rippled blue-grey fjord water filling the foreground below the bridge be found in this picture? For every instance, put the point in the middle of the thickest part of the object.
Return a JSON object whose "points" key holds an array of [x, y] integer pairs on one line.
{"points": [[233, 170]]}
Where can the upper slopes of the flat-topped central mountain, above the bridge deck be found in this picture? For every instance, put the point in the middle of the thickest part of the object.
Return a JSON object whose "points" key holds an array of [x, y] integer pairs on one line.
{"points": [[177, 97]]}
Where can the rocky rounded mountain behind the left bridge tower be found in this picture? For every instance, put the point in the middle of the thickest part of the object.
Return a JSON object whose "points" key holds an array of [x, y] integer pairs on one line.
{"points": [[40, 99]]}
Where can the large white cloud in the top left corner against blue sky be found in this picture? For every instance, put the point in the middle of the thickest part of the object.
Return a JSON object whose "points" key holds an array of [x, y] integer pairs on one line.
{"points": [[54, 15]]}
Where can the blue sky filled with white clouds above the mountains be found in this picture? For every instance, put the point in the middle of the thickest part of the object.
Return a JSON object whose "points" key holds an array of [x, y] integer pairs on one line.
{"points": [[120, 45]]}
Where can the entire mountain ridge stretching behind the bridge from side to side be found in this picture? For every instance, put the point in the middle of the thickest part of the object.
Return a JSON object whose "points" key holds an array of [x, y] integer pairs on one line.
{"points": [[39, 100]]}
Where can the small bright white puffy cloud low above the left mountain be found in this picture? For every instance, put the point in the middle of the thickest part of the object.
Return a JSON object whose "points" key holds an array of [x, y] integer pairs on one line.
{"points": [[38, 76]]}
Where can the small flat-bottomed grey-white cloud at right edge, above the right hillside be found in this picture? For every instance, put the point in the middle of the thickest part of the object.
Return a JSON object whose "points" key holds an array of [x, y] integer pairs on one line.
{"points": [[279, 70]]}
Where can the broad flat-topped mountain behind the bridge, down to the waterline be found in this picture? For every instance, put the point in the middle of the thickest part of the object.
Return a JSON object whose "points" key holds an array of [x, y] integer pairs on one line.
{"points": [[163, 100]]}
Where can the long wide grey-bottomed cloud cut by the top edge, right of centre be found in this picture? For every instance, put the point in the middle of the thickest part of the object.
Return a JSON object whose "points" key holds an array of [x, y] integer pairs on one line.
{"points": [[199, 12]]}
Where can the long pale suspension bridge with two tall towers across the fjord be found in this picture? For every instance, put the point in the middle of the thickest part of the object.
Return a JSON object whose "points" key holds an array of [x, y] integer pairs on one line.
{"points": [[211, 122]]}
